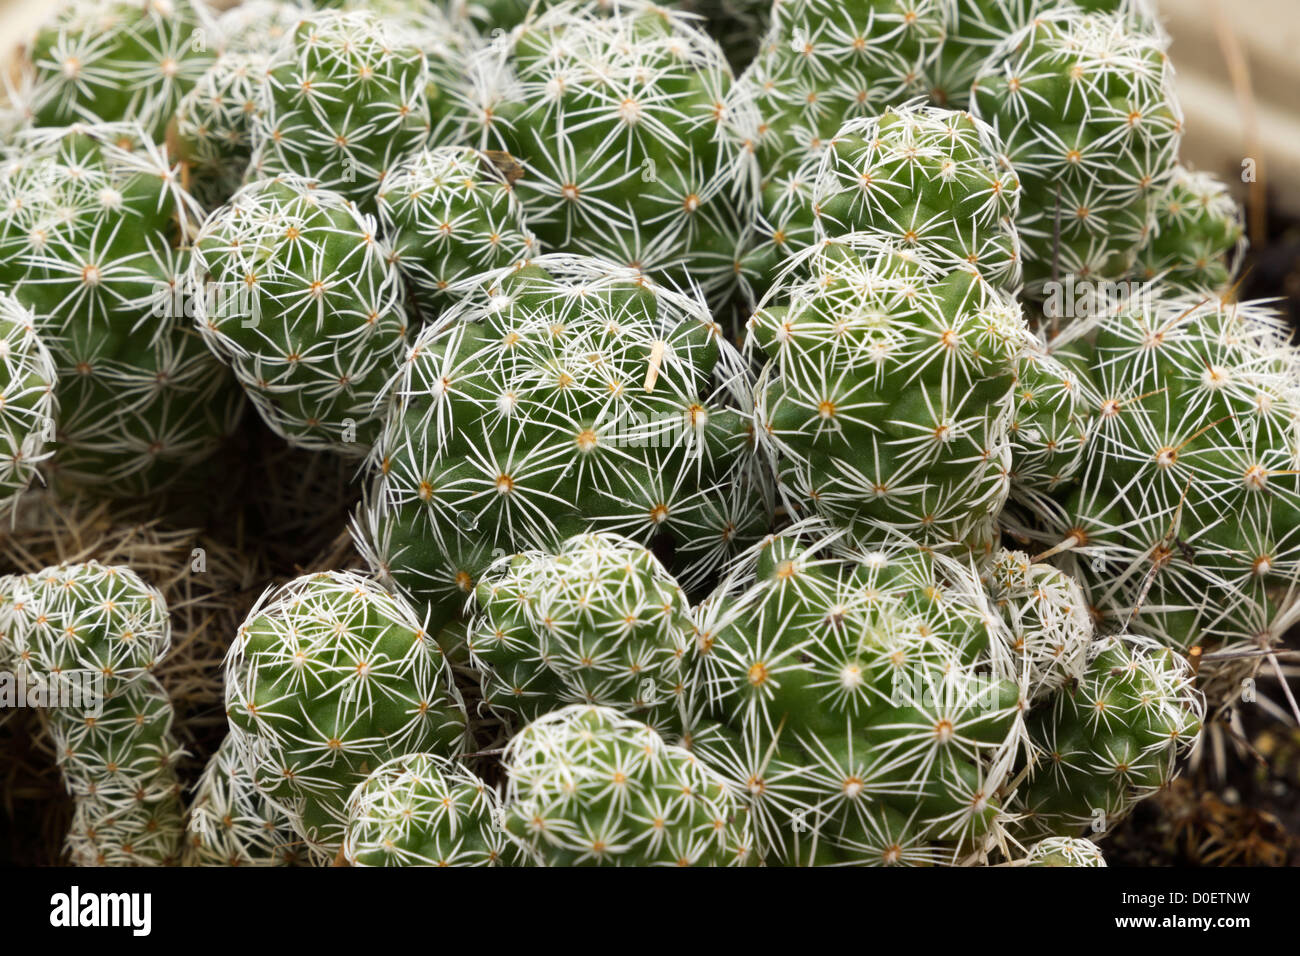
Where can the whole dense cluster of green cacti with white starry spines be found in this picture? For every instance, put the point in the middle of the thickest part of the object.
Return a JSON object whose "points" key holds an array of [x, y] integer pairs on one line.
{"points": [[816, 432]]}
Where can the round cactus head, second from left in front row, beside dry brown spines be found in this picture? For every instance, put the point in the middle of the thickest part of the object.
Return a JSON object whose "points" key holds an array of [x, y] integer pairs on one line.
{"points": [[330, 677]]}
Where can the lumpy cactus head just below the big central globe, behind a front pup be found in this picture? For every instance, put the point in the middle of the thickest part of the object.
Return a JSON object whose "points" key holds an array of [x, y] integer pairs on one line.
{"points": [[597, 622]]}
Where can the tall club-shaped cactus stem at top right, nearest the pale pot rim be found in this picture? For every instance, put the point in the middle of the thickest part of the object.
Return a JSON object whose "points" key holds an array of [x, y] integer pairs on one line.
{"points": [[1085, 107]]}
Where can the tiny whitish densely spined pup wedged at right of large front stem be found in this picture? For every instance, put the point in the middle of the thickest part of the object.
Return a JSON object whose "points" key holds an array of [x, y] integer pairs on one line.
{"points": [[1048, 617]]}
